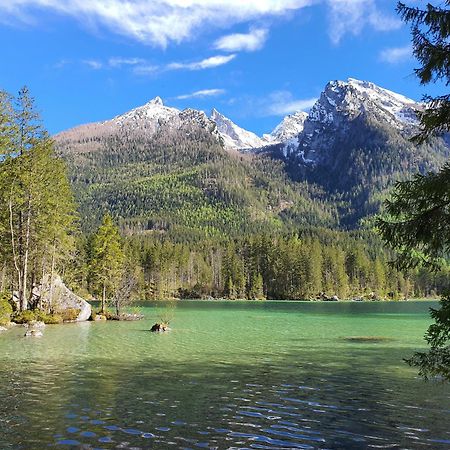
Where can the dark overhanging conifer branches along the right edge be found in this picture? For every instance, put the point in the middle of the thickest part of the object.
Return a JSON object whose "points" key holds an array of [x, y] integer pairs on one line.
{"points": [[417, 220]]}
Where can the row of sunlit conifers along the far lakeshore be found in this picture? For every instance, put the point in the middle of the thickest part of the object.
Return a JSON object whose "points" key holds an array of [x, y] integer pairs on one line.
{"points": [[313, 265]]}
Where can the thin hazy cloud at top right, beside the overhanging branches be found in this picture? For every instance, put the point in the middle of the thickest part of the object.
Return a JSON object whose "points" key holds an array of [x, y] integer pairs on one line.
{"points": [[353, 16]]}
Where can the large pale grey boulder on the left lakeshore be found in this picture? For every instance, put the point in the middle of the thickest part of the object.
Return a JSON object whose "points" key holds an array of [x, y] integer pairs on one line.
{"points": [[58, 298]]}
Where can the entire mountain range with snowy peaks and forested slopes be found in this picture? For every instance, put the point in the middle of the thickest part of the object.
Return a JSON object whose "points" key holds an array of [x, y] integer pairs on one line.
{"points": [[159, 169]]}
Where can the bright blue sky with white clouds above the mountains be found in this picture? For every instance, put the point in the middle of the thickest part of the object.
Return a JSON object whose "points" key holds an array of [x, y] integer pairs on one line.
{"points": [[254, 60]]}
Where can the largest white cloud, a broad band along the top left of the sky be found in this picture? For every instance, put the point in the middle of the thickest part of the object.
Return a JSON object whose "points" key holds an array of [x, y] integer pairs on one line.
{"points": [[156, 22]]}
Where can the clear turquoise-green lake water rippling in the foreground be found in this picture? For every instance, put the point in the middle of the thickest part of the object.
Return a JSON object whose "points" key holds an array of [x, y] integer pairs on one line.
{"points": [[256, 375]]}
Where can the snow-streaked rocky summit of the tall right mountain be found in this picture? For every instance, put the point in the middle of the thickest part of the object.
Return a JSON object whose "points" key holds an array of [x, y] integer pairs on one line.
{"points": [[349, 107]]}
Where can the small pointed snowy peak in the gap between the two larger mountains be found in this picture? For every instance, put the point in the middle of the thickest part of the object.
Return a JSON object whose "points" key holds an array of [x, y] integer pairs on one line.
{"points": [[234, 136]]}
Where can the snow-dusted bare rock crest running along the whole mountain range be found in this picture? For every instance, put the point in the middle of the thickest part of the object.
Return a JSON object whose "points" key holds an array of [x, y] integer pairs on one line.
{"points": [[339, 102]]}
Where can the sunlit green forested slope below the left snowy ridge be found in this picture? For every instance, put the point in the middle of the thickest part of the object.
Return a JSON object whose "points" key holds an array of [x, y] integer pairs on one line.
{"points": [[186, 188]]}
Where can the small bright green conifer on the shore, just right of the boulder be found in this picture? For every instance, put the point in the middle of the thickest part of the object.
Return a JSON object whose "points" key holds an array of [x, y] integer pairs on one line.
{"points": [[106, 266]]}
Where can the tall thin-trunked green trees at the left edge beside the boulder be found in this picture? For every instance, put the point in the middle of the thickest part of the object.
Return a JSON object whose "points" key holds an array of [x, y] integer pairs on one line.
{"points": [[37, 203]]}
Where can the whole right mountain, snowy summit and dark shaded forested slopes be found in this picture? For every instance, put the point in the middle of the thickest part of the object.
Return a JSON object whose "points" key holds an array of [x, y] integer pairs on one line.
{"points": [[355, 144]]}
